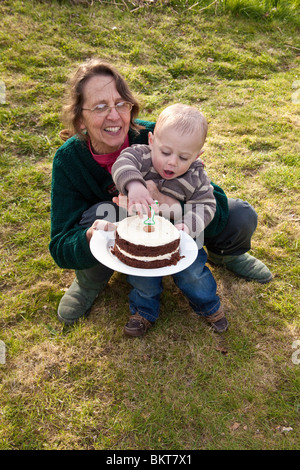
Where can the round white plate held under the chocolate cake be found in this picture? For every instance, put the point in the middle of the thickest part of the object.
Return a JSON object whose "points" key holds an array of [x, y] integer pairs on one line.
{"points": [[102, 242]]}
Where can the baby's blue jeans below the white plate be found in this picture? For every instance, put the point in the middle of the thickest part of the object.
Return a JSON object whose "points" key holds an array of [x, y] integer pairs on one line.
{"points": [[196, 283]]}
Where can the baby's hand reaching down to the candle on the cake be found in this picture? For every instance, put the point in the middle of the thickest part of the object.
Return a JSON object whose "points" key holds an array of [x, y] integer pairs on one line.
{"points": [[139, 199]]}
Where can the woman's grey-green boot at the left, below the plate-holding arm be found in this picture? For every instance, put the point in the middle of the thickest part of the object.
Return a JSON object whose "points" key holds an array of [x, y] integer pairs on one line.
{"points": [[76, 303]]}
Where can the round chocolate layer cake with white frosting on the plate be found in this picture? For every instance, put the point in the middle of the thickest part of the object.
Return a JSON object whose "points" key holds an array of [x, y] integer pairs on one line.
{"points": [[149, 246]]}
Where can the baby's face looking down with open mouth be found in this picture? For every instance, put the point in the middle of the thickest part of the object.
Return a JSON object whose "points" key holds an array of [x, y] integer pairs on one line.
{"points": [[172, 153]]}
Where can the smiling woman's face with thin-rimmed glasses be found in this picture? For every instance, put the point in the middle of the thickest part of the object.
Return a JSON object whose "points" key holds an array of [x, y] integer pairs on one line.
{"points": [[107, 132]]}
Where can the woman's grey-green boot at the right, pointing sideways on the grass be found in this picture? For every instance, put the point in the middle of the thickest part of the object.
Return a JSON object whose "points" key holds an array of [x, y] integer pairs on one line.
{"points": [[244, 265]]}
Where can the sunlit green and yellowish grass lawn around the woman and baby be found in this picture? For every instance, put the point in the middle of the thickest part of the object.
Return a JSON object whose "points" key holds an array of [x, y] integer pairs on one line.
{"points": [[182, 386]]}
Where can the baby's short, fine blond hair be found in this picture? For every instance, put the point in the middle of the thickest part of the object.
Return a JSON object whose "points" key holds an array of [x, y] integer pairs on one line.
{"points": [[184, 119]]}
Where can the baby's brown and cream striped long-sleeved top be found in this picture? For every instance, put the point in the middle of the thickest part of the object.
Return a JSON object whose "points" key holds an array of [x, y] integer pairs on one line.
{"points": [[193, 188]]}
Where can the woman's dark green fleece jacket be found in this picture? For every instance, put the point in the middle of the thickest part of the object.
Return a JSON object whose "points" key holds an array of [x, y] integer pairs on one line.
{"points": [[78, 182]]}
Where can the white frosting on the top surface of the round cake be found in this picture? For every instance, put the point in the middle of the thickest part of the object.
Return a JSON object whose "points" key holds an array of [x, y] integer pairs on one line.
{"points": [[132, 230]]}
